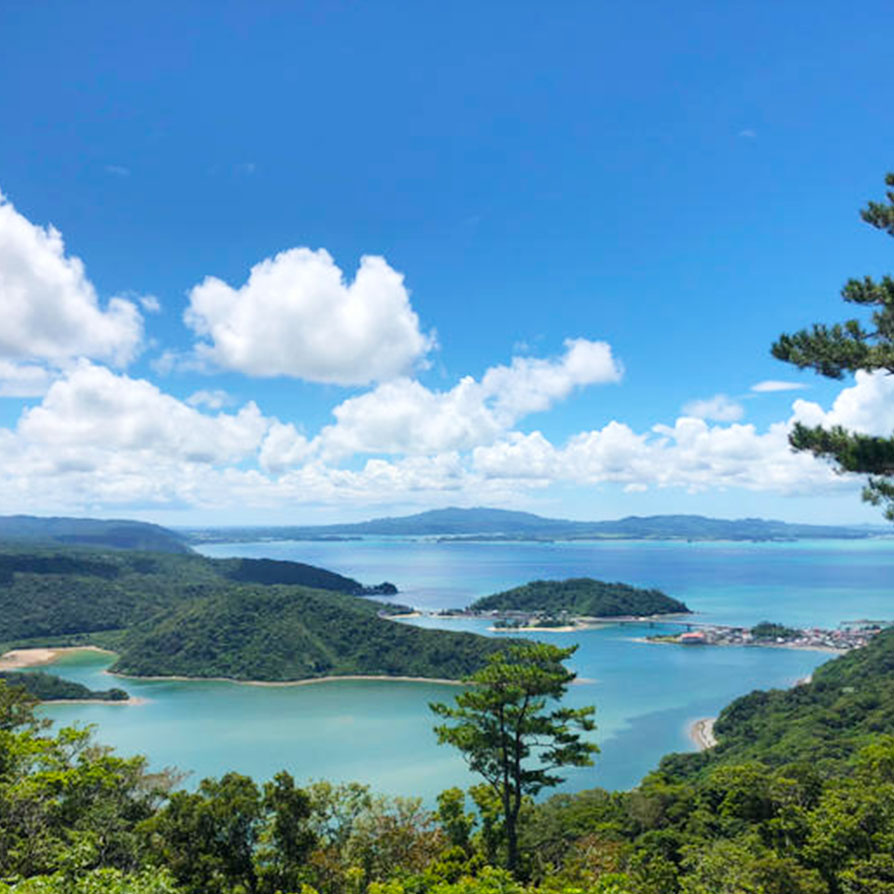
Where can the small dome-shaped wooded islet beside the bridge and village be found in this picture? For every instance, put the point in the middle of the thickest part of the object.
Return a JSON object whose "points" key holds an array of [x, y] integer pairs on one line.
{"points": [[581, 596]]}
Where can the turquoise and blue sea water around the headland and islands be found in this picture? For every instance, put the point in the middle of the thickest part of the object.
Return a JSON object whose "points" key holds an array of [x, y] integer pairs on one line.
{"points": [[380, 732]]}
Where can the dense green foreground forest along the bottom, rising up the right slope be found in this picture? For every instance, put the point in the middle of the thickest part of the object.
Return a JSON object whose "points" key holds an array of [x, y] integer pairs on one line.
{"points": [[781, 819]]}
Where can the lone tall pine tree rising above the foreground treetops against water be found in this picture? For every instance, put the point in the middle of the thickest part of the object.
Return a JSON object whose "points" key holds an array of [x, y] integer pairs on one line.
{"points": [[509, 737]]}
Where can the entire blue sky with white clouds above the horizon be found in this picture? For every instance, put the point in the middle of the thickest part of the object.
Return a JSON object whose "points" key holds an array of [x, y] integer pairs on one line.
{"points": [[586, 223]]}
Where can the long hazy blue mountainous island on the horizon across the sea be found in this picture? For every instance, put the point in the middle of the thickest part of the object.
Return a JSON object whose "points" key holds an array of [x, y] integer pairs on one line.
{"points": [[499, 524]]}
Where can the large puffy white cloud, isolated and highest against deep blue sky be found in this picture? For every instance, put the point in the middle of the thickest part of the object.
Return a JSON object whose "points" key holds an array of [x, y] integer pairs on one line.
{"points": [[297, 316]]}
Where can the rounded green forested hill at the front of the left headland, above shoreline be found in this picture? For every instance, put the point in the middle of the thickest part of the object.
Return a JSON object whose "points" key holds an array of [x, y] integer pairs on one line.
{"points": [[292, 633]]}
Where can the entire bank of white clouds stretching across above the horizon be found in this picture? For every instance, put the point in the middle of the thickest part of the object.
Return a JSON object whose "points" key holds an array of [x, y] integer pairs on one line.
{"points": [[94, 438]]}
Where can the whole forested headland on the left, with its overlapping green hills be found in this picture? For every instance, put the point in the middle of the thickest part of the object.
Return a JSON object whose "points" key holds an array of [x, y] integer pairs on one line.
{"points": [[187, 615]]}
